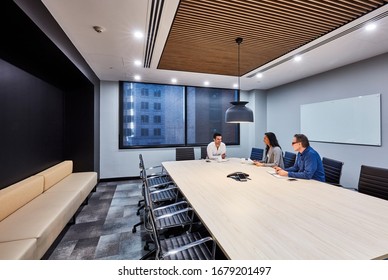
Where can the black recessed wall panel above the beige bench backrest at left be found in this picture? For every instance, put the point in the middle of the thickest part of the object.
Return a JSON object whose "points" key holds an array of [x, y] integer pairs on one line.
{"points": [[31, 124]]}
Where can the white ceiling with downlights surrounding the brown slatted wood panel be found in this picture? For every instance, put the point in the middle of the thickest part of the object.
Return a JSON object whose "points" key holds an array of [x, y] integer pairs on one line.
{"points": [[112, 53]]}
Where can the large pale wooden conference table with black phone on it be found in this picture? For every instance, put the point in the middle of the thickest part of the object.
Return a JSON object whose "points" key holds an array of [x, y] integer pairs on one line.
{"points": [[273, 218]]}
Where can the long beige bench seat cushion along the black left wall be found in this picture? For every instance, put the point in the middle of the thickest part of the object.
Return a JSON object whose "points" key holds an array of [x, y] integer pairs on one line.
{"points": [[45, 216]]}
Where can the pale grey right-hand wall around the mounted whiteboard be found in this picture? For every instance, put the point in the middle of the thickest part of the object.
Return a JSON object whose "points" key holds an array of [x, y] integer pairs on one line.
{"points": [[362, 78]]}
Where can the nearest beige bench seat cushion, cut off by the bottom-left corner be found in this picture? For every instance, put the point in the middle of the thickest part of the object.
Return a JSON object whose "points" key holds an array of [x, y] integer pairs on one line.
{"points": [[18, 250]]}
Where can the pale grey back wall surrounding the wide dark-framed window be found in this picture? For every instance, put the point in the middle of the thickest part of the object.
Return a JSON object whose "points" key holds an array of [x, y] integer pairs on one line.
{"points": [[116, 163]]}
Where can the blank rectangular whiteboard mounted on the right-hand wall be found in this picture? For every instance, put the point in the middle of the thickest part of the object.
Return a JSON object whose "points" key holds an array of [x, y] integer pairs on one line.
{"points": [[355, 120]]}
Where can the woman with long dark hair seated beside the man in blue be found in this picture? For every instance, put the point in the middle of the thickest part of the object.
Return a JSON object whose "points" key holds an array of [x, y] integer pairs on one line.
{"points": [[273, 152]]}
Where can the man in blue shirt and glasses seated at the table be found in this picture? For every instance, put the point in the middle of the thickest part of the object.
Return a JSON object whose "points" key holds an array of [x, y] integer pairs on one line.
{"points": [[308, 164]]}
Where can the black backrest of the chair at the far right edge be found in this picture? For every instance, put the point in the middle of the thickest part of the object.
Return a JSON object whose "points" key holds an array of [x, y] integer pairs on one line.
{"points": [[373, 181]]}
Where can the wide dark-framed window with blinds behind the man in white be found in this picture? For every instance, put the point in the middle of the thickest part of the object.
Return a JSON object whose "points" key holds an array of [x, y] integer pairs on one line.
{"points": [[180, 116]]}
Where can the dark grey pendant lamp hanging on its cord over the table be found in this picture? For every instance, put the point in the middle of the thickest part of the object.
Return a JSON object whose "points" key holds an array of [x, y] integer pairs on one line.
{"points": [[238, 112]]}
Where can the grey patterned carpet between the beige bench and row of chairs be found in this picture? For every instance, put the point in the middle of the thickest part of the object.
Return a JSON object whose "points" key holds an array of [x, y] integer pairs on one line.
{"points": [[103, 227]]}
